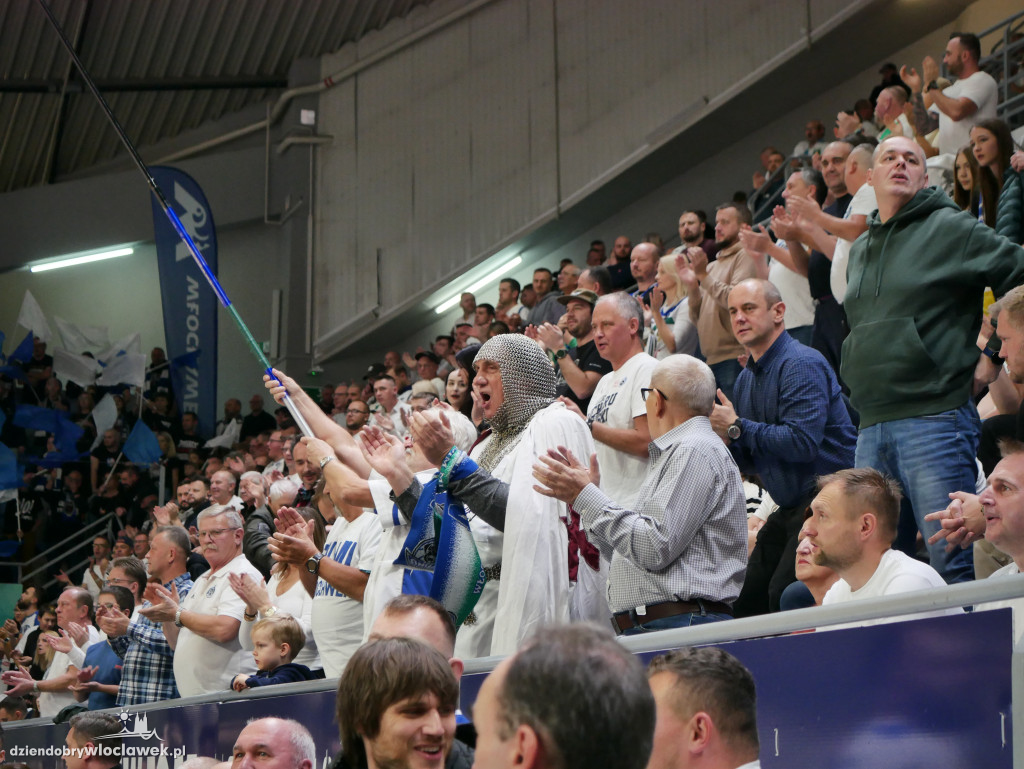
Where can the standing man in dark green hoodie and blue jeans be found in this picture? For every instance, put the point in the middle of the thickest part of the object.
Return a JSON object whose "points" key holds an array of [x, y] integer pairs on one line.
{"points": [[914, 303]]}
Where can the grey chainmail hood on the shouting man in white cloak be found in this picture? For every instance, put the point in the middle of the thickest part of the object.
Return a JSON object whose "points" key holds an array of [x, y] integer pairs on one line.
{"points": [[528, 387]]}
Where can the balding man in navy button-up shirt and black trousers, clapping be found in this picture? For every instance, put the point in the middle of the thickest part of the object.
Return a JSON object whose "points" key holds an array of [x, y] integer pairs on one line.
{"points": [[788, 424]]}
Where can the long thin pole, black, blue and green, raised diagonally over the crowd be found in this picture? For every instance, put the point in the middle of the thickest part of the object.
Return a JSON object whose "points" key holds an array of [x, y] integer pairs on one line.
{"points": [[174, 218]]}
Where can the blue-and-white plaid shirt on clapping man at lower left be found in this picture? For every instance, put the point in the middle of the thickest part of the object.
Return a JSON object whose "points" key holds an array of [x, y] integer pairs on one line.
{"points": [[148, 675]]}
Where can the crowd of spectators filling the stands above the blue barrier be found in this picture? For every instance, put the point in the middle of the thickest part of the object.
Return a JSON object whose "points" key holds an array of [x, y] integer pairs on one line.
{"points": [[769, 415]]}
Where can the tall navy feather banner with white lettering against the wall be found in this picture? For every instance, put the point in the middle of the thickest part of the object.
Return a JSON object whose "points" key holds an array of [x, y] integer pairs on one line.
{"points": [[190, 305]]}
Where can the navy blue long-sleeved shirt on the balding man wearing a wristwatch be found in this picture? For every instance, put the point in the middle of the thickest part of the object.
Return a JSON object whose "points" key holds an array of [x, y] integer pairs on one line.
{"points": [[795, 425]]}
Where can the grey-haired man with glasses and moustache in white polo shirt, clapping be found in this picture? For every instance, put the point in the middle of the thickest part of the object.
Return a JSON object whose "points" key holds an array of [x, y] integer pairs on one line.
{"points": [[203, 629]]}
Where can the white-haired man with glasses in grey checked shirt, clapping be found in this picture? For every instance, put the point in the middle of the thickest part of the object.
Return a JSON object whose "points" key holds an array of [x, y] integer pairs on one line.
{"points": [[679, 553]]}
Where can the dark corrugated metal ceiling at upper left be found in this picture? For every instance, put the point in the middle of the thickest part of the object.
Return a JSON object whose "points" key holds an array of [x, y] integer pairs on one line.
{"points": [[164, 68]]}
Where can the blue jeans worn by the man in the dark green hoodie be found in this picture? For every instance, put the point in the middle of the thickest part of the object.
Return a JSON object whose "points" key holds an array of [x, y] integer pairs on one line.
{"points": [[930, 457]]}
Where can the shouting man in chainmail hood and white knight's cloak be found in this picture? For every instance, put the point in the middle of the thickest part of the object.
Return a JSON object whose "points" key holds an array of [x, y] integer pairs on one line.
{"points": [[521, 535]]}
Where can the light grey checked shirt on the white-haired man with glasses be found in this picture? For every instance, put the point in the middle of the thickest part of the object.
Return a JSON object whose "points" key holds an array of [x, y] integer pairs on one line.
{"points": [[688, 538]]}
